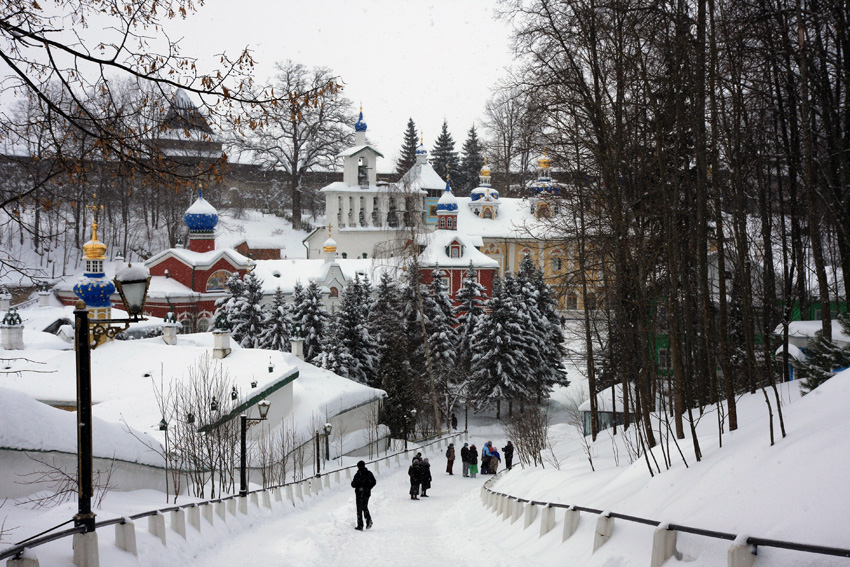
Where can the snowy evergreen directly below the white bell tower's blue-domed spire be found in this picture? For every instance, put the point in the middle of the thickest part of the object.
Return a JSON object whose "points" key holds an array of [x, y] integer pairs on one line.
{"points": [[350, 350]]}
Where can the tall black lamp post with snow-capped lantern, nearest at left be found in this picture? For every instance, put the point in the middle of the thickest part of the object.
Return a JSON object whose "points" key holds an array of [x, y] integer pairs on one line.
{"points": [[132, 284]]}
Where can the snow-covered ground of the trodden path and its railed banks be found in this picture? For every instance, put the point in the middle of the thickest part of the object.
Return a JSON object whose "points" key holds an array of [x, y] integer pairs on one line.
{"points": [[796, 490]]}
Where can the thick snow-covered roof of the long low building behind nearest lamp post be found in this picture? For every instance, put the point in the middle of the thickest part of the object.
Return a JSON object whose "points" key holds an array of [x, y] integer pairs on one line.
{"points": [[128, 395]]}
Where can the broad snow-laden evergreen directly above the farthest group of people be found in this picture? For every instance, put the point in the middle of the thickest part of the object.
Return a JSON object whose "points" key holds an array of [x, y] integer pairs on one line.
{"points": [[499, 363]]}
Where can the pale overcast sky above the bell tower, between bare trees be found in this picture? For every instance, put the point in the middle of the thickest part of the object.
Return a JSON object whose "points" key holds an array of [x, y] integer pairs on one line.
{"points": [[428, 60]]}
